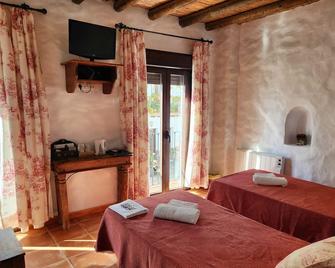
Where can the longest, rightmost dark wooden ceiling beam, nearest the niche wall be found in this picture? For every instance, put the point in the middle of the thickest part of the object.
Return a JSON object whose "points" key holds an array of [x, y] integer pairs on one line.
{"points": [[257, 13]]}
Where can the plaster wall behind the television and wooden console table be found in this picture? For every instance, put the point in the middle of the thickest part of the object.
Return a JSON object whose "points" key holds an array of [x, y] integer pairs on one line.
{"points": [[85, 117]]}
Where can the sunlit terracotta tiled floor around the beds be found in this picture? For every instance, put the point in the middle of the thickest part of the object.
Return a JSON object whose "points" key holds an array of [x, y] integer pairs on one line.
{"points": [[53, 247]]}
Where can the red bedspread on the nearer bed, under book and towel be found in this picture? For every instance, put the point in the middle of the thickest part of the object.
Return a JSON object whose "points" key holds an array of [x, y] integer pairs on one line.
{"points": [[221, 238]]}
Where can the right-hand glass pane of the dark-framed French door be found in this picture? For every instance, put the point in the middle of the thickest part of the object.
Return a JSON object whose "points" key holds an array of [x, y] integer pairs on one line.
{"points": [[177, 110]]}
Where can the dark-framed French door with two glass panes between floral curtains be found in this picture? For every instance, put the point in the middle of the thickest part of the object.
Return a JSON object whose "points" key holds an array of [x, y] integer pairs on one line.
{"points": [[168, 108]]}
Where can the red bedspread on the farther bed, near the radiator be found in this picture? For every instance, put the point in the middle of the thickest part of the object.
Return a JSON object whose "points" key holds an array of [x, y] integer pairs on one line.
{"points": [[302, 209]]}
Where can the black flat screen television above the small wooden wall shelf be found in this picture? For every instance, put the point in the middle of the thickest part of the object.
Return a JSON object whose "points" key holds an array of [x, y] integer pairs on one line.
{"points": [[91, 41]]}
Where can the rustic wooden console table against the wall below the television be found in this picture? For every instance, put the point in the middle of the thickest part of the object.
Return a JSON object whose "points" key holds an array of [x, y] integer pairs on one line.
{"points": [[61, 168]]}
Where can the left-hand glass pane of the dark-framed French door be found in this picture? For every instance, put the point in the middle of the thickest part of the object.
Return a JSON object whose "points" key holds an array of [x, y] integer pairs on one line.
{"points": [[155, 100]]}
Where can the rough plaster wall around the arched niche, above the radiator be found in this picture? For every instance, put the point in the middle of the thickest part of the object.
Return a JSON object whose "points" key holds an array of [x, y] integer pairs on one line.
{"points": [[287, 60]]}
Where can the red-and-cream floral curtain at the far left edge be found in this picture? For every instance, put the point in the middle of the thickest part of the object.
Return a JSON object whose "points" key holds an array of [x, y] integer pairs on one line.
{"points": [[25, 196]]}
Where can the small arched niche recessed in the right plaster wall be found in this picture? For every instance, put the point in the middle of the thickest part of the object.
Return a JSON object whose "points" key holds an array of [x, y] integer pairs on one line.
{"points": [[298, 121]]}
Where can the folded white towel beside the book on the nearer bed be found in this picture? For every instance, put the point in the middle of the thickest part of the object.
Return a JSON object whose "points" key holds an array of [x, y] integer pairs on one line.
{"points": [[174, 213]]}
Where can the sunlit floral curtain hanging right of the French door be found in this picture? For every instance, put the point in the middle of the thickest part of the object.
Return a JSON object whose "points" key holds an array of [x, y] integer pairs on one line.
{"points": [[196, 174]]}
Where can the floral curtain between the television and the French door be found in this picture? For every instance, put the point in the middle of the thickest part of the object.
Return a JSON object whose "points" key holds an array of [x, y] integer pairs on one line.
{"points": [[134, 112]]}
